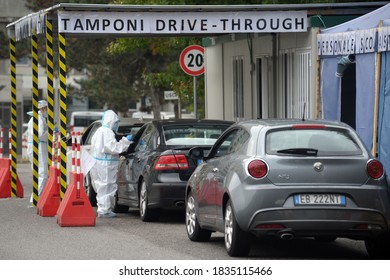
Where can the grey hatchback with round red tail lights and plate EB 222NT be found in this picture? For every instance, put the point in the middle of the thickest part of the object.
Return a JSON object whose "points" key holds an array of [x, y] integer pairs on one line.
{"points": [[287, 179]]}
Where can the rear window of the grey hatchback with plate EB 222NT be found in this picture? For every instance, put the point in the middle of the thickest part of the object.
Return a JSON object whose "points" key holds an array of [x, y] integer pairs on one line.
{"points": [[325, 142]]}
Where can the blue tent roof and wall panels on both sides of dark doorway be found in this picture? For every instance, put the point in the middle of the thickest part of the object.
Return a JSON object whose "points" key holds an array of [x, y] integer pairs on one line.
{"points": [[365, 77]]}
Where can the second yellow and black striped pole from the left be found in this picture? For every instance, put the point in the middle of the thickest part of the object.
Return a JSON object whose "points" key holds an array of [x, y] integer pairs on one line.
{"points": [[35, 96]]}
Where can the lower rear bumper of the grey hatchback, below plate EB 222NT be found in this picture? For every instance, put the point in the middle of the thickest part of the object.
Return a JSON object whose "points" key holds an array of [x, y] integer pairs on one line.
{"points": [[338, 222]]}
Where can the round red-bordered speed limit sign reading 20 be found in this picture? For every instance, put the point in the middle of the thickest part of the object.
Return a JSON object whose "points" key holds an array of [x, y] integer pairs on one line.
{"points": [[192, 61]]}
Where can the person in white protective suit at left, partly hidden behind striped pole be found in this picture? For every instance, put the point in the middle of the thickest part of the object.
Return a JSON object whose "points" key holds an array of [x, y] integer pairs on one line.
{"points": [[42, 145]]}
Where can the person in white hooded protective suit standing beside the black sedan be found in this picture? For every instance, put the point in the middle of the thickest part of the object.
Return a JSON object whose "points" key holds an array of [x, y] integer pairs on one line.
{"points": [[106, 150]]}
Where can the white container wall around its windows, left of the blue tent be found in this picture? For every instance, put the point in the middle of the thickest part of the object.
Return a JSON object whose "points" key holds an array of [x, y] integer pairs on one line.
{"points": [[219, 74]]}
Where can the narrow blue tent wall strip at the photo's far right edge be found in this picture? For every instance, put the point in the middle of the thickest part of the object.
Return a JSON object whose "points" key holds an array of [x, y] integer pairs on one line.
{"points": [[384, 113]]}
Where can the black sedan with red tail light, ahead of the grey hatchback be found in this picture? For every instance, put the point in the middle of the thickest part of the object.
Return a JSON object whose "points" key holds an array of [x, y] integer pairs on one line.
{"points": [[153, 173]]}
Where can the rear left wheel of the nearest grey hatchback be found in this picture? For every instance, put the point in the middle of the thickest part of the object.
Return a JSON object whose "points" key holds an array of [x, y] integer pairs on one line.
{"points": [[237, 242]]}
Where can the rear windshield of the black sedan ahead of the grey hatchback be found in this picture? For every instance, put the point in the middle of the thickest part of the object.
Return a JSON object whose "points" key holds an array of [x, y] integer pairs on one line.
{"points": [[192, 134]]}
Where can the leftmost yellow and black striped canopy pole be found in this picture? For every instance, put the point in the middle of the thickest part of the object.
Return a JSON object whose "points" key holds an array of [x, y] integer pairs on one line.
{"points": [[12, 47]]}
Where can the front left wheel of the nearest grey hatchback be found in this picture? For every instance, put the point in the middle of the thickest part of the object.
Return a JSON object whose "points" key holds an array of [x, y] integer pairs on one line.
{"points": [[194, 231]]}
